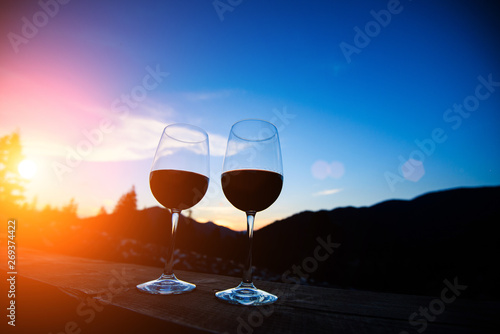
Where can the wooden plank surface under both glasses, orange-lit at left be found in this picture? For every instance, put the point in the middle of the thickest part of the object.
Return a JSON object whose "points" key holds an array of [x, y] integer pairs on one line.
{"points": [[62, 294]]}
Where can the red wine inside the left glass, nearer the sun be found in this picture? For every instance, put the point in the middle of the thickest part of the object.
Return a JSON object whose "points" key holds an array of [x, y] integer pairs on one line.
{"points": [[177, 189]]}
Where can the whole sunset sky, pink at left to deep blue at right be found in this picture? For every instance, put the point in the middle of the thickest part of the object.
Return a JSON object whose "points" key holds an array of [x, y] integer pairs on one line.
{"points": [[372, 100]]}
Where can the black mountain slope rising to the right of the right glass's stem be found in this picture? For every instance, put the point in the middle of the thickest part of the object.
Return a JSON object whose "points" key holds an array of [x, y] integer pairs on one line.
{"points": [[397, 245]]}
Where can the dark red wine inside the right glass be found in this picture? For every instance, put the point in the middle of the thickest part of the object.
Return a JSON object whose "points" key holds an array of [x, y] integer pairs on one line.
{"points": [[251, 189]]}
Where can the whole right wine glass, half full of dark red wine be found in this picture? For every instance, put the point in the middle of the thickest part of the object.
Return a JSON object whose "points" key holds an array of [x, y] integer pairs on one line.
{"points": [[252, 178]]}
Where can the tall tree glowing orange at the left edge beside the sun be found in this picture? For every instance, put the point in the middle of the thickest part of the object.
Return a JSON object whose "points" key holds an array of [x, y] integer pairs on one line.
{"points": [[11, 183]]}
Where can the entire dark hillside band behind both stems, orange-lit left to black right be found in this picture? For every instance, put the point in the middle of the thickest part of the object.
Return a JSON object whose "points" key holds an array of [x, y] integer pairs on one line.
{"points": [[401, 246]]}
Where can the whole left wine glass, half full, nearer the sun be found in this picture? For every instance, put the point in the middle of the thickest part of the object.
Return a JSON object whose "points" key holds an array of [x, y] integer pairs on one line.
{"points": [[178, 180]]}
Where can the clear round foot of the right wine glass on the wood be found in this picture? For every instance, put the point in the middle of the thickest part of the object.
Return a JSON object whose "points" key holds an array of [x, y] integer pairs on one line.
{"points": [[246, 294]]}
